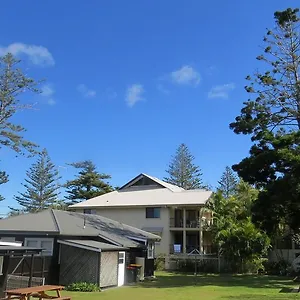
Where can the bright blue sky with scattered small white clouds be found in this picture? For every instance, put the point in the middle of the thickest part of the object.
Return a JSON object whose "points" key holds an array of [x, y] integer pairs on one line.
{"points": [[128, 81]]}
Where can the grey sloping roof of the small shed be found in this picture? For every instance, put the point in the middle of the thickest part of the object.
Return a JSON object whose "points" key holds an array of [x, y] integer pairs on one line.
{"points": [[91, 245]]}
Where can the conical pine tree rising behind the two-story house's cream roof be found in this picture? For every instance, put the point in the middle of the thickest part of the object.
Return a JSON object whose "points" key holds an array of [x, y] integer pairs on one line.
{"points": [[182, 170]]}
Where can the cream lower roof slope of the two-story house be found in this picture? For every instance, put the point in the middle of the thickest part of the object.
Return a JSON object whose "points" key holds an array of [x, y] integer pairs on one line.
{"points": [[151, 197]]}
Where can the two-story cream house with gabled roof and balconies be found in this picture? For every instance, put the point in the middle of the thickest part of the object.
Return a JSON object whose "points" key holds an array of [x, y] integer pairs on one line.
{"points": [[176, 214]]}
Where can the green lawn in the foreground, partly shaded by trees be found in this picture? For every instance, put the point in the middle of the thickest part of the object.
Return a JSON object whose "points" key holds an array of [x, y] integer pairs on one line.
{"points": [[179, 287]]}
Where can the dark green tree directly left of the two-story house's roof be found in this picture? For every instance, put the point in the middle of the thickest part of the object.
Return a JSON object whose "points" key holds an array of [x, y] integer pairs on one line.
{"points": [[88, 183]]}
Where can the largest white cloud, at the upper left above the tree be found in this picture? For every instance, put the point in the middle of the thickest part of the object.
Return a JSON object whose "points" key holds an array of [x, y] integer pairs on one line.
{"points": [[38, 55]]}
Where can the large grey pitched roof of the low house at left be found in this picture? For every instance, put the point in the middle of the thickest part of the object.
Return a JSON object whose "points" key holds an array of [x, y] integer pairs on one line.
{"points": [[68, 223]]}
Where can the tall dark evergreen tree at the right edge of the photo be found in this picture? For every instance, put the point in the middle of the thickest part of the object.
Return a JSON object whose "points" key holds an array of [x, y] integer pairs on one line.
{"points": [[272, 119]]}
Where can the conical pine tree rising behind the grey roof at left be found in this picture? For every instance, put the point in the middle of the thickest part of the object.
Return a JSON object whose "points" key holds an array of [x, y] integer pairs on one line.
{"points": [[41, 186]]}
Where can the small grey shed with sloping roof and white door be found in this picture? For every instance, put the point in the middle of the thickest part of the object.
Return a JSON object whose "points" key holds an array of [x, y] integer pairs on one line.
{"points": [[91, 261]]}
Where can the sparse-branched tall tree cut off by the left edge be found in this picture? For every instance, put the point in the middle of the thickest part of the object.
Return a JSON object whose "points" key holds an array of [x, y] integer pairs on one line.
{"points": [[13, 84]]}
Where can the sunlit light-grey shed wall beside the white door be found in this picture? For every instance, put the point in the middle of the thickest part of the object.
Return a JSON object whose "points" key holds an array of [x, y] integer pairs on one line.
{"points": [[109, 269]]}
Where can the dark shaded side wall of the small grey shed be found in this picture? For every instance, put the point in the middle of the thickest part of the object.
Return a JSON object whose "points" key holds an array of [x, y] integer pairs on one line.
{"points": [[78, 265]]}
